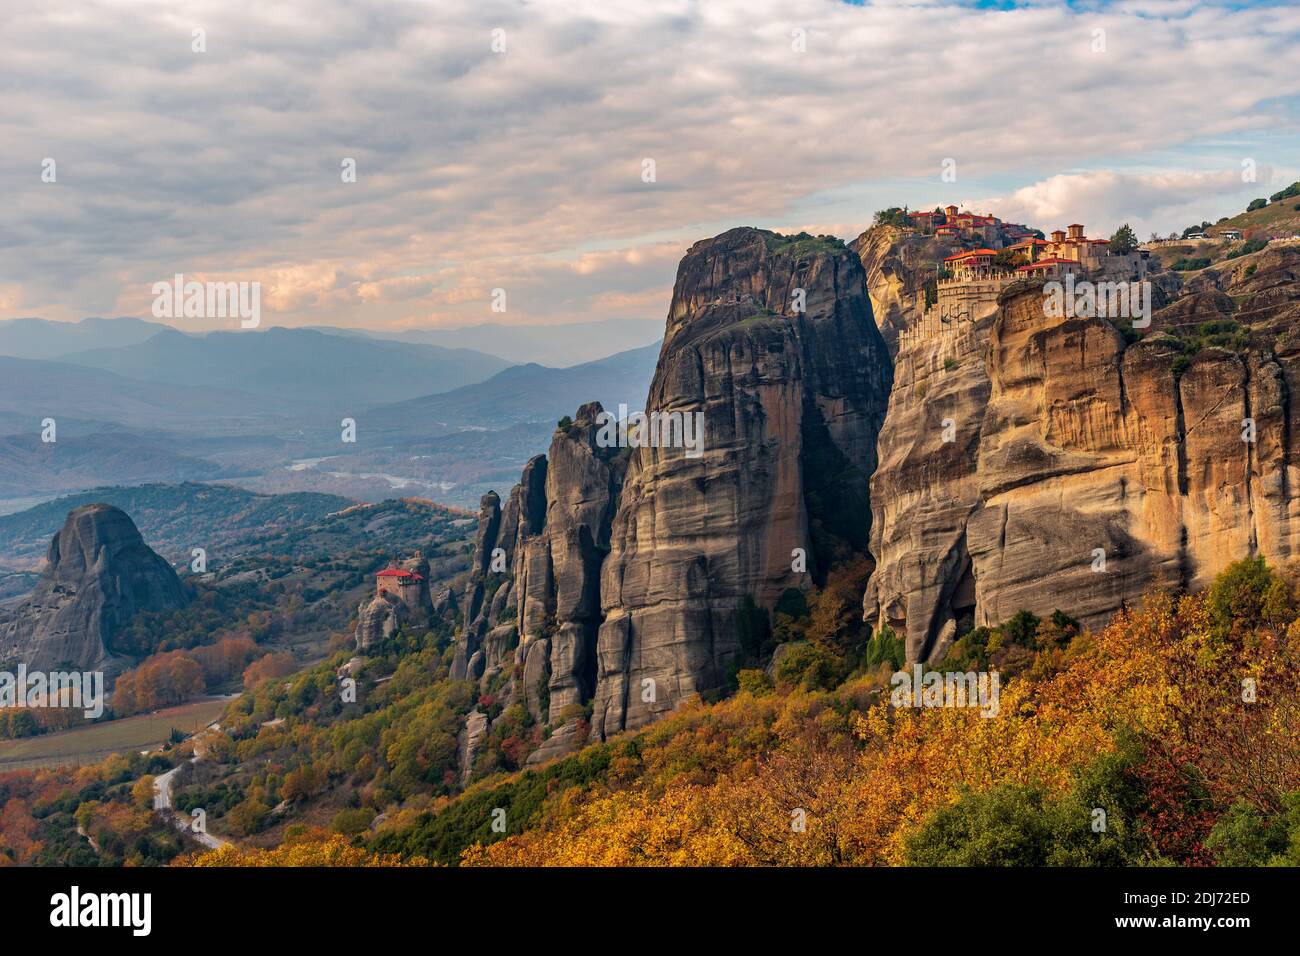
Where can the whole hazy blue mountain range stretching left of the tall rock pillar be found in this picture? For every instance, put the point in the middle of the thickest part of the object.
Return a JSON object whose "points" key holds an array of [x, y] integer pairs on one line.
{"points": [[137, 403]]}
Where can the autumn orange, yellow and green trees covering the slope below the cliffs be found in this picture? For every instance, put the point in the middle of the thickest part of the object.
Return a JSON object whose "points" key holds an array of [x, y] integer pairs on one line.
{"points": [[1171, 737]]}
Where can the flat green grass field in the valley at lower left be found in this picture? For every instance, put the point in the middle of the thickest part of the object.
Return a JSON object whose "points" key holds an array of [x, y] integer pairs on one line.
{"points": [[97, 742]]}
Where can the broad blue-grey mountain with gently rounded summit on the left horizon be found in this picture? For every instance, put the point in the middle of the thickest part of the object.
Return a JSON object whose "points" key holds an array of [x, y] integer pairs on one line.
{"points": [[297, 367]]}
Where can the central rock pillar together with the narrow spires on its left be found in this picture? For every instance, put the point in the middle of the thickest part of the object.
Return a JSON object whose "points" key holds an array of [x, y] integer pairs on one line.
{"points": [[634, 572]]}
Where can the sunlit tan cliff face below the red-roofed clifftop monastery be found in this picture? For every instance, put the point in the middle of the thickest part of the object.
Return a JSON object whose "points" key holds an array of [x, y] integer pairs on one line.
{"points": [[1082, 470]]}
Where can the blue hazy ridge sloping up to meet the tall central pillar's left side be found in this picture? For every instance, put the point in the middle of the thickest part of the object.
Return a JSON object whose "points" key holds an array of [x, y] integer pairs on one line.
{"points": [[527, 393]]}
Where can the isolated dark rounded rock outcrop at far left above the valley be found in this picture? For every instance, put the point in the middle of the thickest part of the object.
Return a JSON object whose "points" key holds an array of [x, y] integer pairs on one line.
{"points": [[99, 576]]}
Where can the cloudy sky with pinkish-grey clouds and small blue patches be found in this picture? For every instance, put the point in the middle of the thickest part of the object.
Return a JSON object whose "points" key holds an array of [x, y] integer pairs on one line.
{"points": [[504, 146]]}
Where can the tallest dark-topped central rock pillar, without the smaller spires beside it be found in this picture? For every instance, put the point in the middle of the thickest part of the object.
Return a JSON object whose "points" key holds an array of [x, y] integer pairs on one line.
{"points": [[791, 405]]}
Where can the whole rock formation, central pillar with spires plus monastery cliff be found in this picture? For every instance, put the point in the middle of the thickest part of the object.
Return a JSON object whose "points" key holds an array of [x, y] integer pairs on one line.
{"points": [[1016, 461]]}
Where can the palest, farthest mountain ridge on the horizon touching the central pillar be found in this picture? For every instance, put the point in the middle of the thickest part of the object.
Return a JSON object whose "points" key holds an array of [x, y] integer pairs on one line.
{"points": [[551, 345]]}
